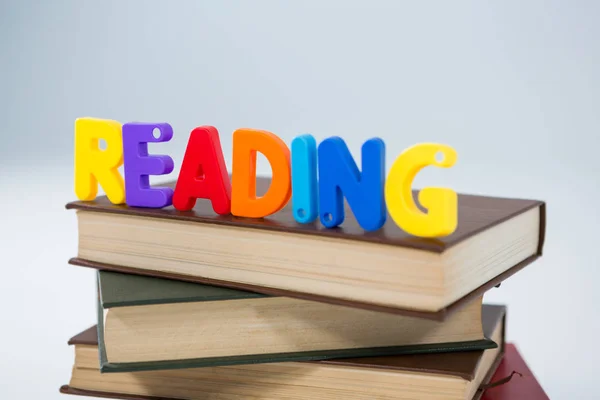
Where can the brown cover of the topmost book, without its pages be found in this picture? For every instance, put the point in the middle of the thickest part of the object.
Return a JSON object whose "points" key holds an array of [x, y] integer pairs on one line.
{"points": [[475, 215]]}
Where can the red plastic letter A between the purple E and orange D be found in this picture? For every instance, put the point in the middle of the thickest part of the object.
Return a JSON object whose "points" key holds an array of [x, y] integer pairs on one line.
{"points": [[203, 173]]}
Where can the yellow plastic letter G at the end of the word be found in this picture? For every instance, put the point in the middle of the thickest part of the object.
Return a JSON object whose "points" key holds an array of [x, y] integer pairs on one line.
{"points": [[441, 203]]}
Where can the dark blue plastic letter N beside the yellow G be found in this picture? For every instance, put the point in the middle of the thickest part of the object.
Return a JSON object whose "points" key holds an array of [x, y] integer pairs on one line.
{"points": [[339, 176]]}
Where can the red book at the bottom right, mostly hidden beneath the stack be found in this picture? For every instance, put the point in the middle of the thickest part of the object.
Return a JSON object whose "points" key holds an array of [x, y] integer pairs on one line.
{"points": [[522, 386]]}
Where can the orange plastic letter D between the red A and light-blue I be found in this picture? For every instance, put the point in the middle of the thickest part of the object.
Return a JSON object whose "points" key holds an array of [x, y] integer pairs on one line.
{"points": [[244, 203]]}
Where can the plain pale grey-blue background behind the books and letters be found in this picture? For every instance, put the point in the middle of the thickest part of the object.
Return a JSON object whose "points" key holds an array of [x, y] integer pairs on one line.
{"points": [[513, 86]]}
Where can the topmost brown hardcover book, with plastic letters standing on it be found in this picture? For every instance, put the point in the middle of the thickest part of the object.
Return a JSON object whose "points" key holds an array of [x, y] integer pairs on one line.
{"points": [[386, 270]]}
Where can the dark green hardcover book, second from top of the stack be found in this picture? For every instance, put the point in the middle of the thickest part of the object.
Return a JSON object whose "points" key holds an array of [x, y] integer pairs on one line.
{"points": [[147, 323]]}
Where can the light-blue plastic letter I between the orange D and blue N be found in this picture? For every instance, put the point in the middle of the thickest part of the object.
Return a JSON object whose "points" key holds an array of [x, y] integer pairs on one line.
{"points": [[304, 179]]}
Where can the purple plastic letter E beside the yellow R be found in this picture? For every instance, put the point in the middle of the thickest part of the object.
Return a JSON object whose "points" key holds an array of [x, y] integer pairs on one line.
{"points": [[139, 165]]}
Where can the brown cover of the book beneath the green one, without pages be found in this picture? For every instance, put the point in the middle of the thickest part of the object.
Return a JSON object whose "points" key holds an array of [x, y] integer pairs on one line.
{"points": [[462, 364]]}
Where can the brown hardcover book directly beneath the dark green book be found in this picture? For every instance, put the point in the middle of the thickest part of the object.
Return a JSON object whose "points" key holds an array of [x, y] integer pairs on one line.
{"points": [[457, 375]]}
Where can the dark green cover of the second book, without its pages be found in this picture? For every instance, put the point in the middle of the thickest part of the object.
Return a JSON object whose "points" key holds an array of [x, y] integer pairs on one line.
{"points": [[123, 290]]}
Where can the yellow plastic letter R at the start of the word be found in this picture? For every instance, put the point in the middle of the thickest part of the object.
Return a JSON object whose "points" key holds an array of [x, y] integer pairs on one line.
{"points": [[94, 165]]}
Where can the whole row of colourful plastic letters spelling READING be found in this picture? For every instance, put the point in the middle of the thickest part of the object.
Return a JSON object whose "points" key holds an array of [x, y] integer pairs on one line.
{"points": [[316, 179]]}
